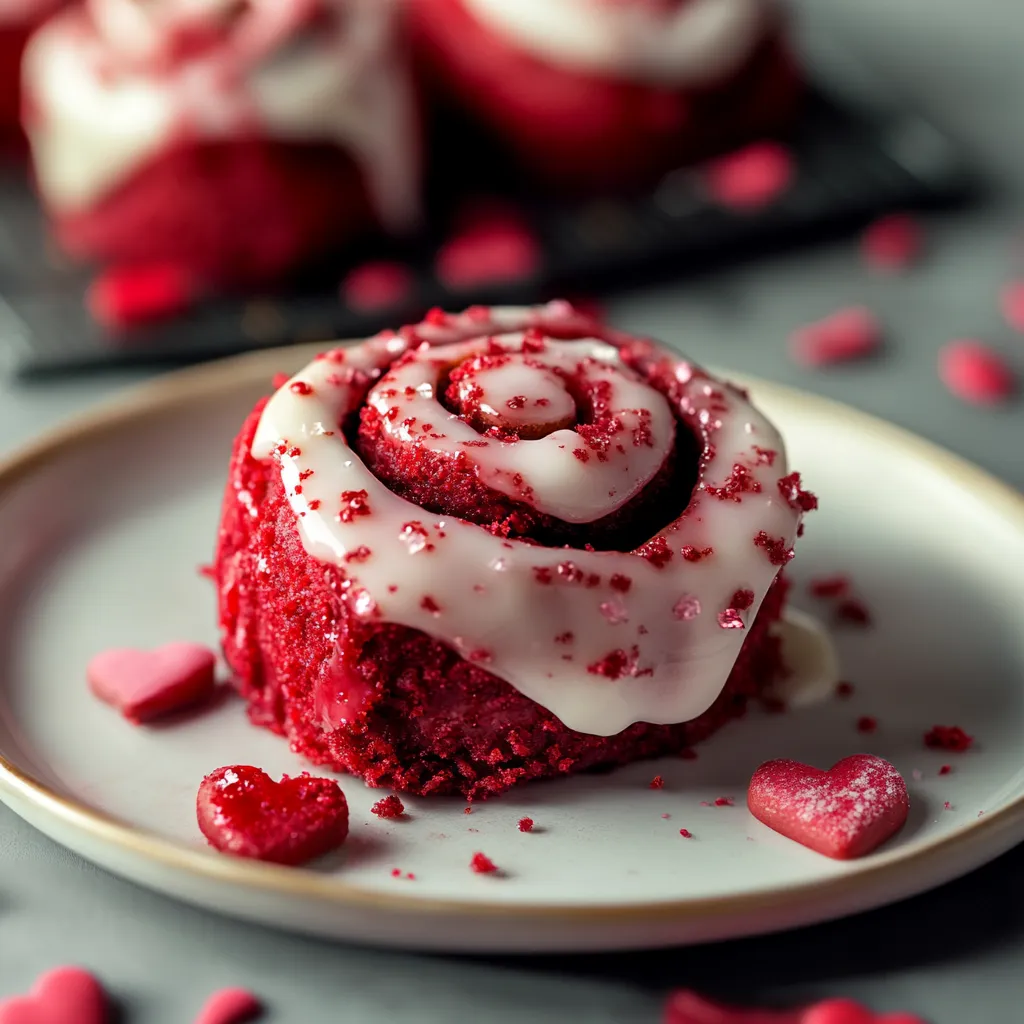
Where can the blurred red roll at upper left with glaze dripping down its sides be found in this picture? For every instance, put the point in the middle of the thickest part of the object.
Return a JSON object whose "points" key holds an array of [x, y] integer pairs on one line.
{"points": [[232, 140]]}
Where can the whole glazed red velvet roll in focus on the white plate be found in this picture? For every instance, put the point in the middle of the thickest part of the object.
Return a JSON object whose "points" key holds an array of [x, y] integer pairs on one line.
{"points": [[502, 546]]}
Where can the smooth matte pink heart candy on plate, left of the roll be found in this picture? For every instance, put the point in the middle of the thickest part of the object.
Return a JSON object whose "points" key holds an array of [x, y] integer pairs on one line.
{"points": [[146, 685]]}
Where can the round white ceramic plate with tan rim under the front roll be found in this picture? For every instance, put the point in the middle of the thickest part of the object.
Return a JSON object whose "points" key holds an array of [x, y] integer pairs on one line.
{"points": [[105, 523]]}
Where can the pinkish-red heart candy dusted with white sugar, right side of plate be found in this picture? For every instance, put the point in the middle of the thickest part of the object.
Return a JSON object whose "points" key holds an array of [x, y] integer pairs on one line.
{"points": [[844, 813]]}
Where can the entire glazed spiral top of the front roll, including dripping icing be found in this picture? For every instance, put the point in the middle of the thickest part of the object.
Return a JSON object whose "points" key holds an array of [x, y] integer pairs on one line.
{"points": [[586, 516]]}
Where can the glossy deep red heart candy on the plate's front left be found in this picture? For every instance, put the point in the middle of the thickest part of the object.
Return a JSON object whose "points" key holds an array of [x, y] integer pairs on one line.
{"points": [[243, 812]]}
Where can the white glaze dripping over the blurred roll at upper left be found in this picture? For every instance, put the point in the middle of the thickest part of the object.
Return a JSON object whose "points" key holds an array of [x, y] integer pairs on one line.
{"points": [[108, 94]]}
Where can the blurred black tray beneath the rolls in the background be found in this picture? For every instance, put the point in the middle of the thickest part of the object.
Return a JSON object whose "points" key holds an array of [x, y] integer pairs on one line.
{"points": [[849, 169]]}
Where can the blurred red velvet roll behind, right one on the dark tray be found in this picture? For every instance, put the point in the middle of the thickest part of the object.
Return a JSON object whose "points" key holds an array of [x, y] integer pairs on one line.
{"points": [[612, 93]]}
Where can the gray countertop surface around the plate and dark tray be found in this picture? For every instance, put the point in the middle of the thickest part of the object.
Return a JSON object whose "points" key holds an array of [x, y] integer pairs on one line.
{"points": [[955, 956]]}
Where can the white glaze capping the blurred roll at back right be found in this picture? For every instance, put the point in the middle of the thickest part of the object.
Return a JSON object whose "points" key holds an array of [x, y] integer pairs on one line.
{"points": [[675, 45]]}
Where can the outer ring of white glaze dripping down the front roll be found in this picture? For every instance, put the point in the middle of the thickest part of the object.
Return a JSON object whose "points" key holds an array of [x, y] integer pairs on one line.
{"points": [[602, 639]]}
